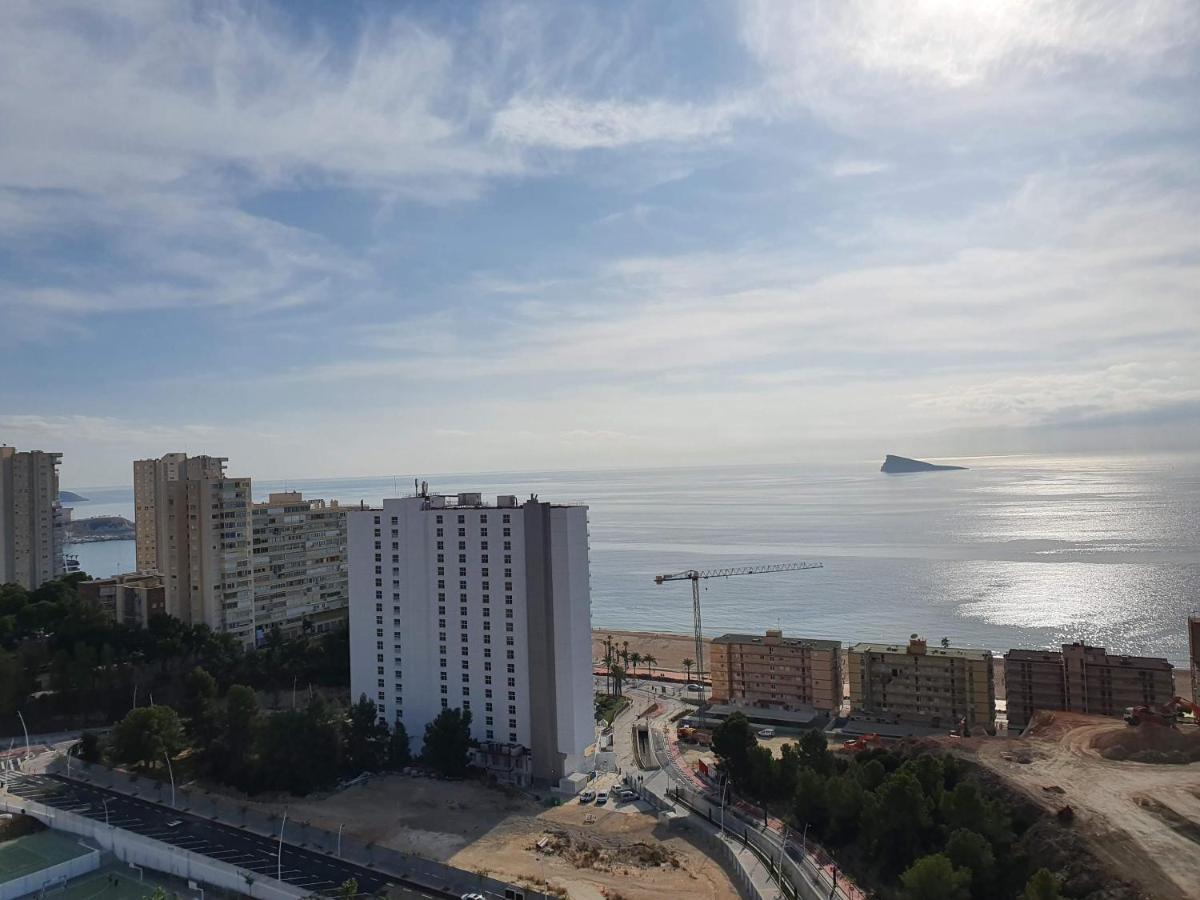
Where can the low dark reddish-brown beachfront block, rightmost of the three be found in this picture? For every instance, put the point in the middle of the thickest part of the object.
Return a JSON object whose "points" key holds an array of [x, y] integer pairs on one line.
{"points": [[1083, 680]]}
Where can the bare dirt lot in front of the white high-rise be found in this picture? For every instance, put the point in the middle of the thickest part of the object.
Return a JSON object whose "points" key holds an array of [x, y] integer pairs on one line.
{"points": [[626, 854]]}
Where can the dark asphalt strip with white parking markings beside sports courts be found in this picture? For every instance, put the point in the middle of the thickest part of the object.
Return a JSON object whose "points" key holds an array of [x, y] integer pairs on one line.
{"points": [[304, 868]]}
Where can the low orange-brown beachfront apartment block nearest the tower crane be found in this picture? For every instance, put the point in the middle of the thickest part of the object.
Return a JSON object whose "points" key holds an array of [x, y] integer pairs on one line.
{"points": [[776, 673]]}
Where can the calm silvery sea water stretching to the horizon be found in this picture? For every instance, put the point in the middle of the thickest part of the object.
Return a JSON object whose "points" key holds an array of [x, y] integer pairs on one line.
{"points": [[1016, 553]]}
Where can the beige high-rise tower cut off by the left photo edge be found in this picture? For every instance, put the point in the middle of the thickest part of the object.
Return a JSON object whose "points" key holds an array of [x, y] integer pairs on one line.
{"points": [[32, 525]]}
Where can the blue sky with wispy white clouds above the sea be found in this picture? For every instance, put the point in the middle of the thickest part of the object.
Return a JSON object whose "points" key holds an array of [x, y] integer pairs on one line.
{"points": [[362, 238]]}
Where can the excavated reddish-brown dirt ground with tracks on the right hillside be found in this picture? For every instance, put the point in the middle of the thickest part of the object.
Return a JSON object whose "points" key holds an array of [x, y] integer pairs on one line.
{"points": [[1142, 819]]}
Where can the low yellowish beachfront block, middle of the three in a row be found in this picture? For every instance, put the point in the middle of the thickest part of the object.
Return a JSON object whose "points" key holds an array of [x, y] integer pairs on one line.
{"points": [[914, 683]]}
